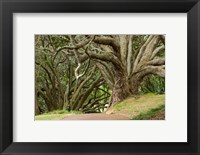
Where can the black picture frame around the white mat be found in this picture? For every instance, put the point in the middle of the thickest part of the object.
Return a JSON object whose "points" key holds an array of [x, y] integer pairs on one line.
{"points": [[8, 7]]}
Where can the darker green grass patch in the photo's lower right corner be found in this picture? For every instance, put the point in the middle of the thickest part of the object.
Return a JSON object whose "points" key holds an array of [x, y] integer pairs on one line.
{"points": [[152, 113]]}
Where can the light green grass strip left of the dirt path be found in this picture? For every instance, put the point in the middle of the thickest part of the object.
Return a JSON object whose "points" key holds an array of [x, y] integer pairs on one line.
{"points": [[55, 115]]}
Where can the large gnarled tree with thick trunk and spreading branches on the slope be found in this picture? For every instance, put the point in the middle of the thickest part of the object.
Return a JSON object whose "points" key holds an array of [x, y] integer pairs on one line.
{"points": [[124, 60]]}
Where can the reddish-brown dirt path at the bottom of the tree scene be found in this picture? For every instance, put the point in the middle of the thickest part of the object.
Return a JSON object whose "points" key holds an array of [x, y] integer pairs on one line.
{"points": [[95, 117]]}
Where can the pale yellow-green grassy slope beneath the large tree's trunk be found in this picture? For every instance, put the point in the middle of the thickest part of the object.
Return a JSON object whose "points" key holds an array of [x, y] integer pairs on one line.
{"points": [[145, 104]]}
